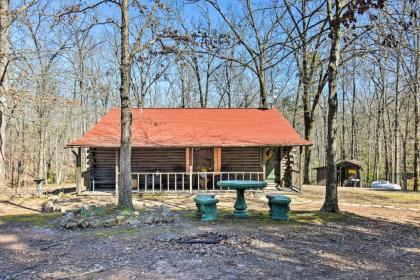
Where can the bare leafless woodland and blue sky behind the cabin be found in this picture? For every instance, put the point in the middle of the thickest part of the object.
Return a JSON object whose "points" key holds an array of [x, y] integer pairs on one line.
{"points": [[345, 73]]}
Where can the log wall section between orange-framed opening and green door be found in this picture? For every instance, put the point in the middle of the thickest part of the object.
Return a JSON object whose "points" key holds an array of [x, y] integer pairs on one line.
{"points": [[246, 159]]}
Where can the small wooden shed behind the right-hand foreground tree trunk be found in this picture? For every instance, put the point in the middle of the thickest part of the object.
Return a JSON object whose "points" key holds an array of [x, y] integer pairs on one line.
{"points": [[349, 173]]}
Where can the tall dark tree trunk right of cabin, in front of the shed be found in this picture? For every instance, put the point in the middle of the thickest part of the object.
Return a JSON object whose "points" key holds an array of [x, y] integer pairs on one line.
{"points": [[331, 198]]}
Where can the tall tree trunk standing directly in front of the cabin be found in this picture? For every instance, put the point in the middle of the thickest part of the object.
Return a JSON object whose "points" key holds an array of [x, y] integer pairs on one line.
{"points": [[124, 191]]}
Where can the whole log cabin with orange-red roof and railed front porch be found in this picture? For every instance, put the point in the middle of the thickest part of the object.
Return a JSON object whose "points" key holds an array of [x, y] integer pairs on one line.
{"points": [[179, 149]]}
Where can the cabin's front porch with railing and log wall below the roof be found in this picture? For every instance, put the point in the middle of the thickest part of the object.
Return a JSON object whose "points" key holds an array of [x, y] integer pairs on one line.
{"points": [[192, 168]]}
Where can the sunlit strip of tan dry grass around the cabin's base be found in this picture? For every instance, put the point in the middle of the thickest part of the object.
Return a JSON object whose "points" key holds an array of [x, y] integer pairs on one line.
{"points": [[395, 206]]}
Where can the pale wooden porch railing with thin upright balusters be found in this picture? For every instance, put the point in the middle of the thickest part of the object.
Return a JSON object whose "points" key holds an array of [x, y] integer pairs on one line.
{"points": [[187, 181]]}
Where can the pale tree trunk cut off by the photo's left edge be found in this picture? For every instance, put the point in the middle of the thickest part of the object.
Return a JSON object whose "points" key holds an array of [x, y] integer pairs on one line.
{"points": [[4, 60]]}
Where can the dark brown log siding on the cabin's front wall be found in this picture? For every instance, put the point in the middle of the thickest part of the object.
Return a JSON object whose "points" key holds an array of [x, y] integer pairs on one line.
{"points": [[101, 162]]}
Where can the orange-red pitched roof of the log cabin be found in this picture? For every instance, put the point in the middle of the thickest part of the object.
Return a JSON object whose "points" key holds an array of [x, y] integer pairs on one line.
{"points": [[195, 127]]}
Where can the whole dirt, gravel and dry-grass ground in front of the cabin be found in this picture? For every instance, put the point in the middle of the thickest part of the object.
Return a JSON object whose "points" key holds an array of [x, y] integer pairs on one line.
{"points": [[375, 237]]}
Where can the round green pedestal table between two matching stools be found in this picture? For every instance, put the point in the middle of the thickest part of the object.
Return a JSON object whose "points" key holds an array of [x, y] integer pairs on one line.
{"points": [[241, 186]]}
